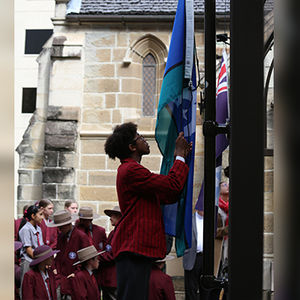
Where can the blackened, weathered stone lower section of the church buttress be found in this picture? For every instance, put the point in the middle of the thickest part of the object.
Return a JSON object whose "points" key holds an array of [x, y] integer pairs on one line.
{"points": [[60, 157]]}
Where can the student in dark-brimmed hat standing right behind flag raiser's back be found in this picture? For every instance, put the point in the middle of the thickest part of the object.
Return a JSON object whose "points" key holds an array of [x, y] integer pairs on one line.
{"points": [[107, 266]]}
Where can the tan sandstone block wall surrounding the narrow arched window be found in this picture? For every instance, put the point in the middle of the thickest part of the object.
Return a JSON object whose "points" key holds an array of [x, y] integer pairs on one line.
{"points": [[112, 94]]}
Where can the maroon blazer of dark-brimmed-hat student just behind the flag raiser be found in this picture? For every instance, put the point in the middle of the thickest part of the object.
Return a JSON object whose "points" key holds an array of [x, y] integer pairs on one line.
{"points": [[107, 267]]}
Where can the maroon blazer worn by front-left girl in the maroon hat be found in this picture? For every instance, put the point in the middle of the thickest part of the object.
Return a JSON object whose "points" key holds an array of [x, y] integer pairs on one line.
{"points": [[33, 286]]}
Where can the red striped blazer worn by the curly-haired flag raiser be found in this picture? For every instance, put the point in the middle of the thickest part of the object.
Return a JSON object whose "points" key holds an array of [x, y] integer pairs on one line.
{"points": [[140, 193]]}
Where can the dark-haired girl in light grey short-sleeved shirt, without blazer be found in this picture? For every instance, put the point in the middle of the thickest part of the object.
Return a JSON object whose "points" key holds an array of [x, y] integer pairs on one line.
{"points": [[30, 234]]}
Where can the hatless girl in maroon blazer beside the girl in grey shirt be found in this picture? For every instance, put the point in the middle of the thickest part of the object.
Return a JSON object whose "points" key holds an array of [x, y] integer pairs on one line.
{"points": [[49, 233]]}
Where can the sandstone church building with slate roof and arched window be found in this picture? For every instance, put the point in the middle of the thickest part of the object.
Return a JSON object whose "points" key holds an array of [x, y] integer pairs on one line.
{"points": [[103, 66]]}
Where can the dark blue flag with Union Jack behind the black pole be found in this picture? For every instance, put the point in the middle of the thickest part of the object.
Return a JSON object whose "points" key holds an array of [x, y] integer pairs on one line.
{"points": [[222, 115]]}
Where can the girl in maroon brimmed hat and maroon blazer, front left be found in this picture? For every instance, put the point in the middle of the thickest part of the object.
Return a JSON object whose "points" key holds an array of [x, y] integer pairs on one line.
{"points": [[39, 282]]}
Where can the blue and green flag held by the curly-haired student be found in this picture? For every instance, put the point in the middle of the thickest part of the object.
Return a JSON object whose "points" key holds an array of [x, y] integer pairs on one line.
{"points": [[177, 112]]}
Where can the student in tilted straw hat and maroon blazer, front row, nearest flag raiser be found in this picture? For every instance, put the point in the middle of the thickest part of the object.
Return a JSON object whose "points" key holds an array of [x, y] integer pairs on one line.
{"points": [[84, 284]]}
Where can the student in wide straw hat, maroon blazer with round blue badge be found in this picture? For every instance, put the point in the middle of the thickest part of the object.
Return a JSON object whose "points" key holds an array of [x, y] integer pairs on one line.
{"points": [[69, 241]]}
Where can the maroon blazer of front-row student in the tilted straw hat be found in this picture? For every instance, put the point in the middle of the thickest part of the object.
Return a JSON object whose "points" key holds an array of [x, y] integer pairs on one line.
{"points": [[84, 286]]}
